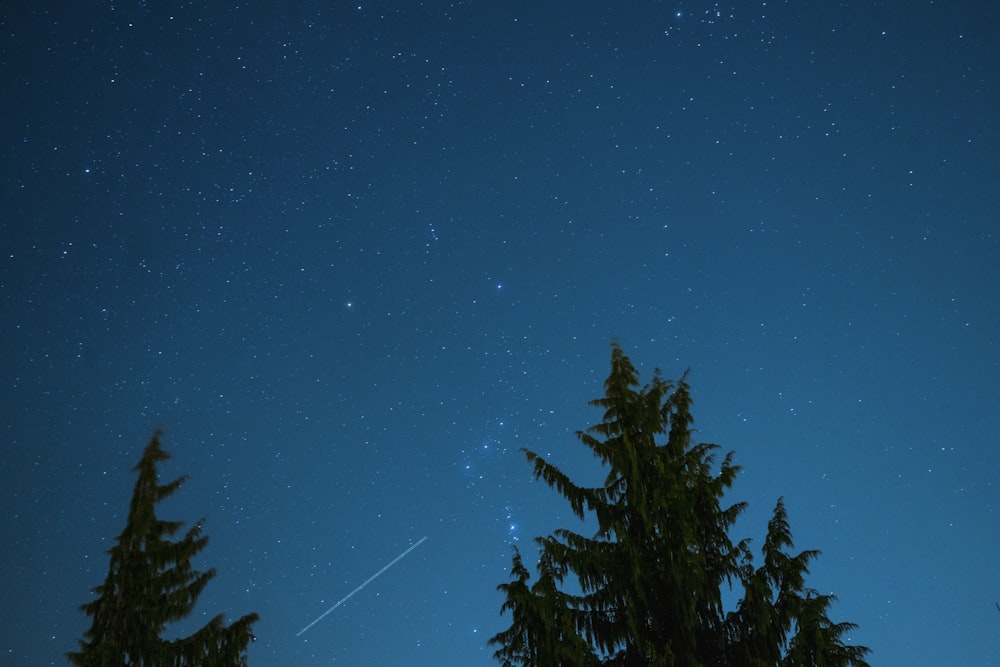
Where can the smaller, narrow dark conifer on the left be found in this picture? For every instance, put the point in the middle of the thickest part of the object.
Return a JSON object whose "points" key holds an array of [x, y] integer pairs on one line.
{"points": [[151, 583]]}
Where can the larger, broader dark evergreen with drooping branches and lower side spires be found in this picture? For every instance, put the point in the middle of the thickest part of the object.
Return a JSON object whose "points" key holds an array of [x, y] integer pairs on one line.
{"points": [[649, 582]]}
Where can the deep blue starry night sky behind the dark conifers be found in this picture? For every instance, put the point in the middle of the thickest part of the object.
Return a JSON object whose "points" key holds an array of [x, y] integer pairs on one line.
{"points": [[353, 257]]}
